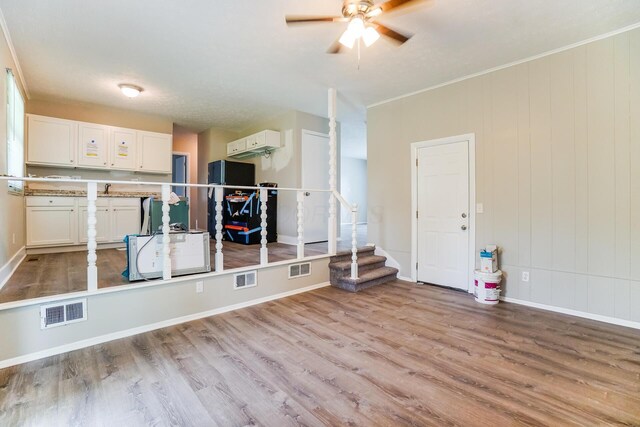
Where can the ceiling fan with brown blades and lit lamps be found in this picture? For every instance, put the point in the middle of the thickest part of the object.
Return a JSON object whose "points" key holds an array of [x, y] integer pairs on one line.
{"points": [[362, 16]]}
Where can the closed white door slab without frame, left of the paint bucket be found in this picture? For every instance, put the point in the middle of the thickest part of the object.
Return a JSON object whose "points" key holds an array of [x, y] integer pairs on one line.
{"points": [[443, 214]]}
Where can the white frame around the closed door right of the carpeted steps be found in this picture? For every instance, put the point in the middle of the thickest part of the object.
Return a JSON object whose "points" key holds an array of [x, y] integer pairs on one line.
{"points": [[470, 138]]}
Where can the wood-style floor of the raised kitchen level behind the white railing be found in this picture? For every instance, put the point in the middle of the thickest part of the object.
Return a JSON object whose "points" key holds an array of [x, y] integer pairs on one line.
{"points": [[64, 272]]}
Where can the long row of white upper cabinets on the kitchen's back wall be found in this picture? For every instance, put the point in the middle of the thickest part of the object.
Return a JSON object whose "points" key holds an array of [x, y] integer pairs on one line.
{"points": [[72, 144]]}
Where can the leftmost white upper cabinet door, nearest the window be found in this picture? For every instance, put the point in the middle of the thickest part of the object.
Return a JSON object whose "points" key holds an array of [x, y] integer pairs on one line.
{"points": [[51, 141]]}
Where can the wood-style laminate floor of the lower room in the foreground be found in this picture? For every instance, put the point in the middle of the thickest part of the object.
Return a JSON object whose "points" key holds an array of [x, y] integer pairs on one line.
{"points": [[396, 354]]}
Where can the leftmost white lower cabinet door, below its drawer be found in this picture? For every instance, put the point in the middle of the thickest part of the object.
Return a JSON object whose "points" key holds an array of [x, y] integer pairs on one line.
{"points": [[51, 225]]}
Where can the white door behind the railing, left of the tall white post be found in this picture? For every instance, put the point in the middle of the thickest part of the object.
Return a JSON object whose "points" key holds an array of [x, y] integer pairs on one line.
{"points": [[315, 175]]}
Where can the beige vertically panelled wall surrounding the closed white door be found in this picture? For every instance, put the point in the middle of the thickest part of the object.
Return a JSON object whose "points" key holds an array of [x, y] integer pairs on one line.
{"points": [[558, 171]]}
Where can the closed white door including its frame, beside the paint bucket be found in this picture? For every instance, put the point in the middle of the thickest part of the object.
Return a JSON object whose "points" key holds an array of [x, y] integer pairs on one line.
{"points": [[443, 211]]}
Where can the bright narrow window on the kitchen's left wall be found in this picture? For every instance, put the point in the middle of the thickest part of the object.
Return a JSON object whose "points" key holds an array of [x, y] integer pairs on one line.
{"points": [[15, 133]]}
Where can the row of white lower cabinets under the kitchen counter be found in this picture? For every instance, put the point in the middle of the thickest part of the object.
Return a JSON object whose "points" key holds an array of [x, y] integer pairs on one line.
{"points": [[60, 221]]}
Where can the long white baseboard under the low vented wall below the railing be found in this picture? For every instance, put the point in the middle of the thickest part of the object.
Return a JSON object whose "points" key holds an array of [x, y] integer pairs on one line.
{"points": [[153, 326]]}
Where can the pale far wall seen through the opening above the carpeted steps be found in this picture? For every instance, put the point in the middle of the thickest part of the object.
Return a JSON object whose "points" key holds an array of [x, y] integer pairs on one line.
{"points": [[353, 173]]}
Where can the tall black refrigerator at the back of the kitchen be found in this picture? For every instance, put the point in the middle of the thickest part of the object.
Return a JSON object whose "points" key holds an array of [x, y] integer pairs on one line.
{"points": [[224, 172]]}
